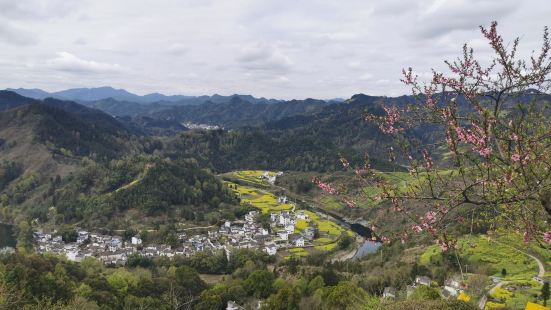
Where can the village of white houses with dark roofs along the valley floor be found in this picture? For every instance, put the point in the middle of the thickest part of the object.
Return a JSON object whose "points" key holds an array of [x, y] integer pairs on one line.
{"points": [[113, 250]]}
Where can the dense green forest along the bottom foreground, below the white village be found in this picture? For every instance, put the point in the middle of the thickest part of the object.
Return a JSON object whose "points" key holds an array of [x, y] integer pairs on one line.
{"points": [[33, 281]]}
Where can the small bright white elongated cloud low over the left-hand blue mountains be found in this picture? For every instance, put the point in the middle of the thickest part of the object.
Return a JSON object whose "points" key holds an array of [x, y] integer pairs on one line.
{"points": [[68, 62]]}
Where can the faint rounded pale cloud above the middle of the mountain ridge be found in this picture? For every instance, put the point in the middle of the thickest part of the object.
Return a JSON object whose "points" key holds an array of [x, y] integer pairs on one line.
{"points": [[261, 57]]}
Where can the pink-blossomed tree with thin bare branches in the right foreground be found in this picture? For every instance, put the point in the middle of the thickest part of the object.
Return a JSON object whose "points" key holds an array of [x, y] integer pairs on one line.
{"points": [[492, 122]]}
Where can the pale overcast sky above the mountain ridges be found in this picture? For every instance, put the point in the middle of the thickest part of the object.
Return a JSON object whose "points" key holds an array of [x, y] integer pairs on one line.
{"points": [[276, 49]]}
